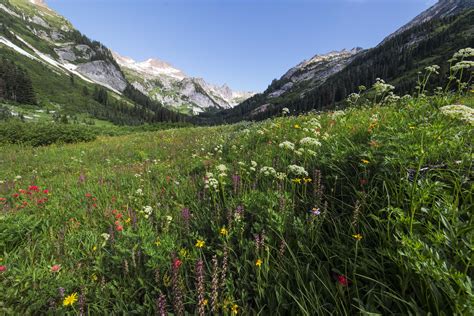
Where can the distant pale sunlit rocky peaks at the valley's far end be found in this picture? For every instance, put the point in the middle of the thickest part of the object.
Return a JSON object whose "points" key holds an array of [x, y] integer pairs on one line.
{"points": [[174, 89]]}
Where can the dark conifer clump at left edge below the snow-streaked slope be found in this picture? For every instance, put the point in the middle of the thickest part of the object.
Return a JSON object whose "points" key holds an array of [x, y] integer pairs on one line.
{"points": [[15, 83]]}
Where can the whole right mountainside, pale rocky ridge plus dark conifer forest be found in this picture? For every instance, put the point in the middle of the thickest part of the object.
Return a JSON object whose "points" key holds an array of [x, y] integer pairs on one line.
{"points": [[324, 81]]}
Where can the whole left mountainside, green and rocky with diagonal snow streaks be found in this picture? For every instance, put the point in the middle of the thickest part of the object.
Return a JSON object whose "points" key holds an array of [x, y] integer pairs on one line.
{"points": [[70, 73]]}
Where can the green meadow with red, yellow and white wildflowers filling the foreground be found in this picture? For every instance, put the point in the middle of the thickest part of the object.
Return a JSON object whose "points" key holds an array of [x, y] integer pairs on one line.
{"points": [[362, 211]]}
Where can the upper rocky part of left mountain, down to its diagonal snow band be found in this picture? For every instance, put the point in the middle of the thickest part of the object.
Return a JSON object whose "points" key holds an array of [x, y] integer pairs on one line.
{"points": [[50, 39]]}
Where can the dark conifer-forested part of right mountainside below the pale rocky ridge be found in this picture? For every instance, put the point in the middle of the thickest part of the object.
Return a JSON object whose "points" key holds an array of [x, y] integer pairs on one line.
{"points": [[396, 60]]}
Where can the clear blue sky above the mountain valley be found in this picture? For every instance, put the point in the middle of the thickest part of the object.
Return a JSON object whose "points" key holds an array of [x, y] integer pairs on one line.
{"points": [[244, 43]]}
